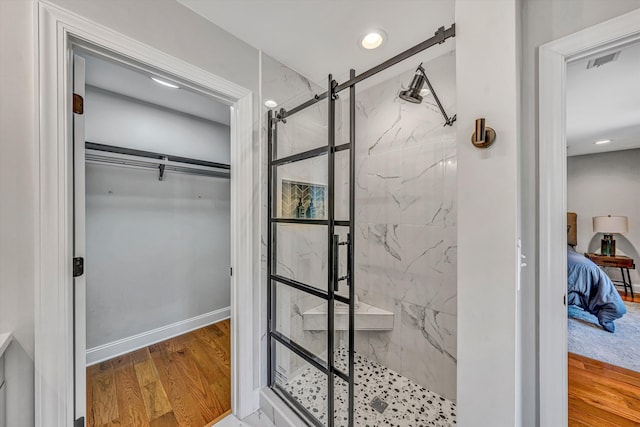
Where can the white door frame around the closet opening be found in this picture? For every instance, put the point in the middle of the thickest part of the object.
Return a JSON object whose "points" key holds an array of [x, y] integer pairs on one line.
{"points": [[54, 353]]}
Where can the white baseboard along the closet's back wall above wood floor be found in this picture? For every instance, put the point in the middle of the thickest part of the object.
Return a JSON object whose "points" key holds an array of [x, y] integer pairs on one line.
{"points": [[126, 345]]}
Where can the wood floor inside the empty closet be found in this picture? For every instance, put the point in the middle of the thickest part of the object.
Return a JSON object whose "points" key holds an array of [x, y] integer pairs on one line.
{"points": [[184, 381]]}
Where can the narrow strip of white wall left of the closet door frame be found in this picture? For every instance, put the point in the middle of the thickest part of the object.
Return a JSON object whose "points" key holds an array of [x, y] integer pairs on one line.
{"points": [[17, 204]]}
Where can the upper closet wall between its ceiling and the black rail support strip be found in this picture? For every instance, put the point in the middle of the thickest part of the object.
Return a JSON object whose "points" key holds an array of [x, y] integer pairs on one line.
{"points": [[118, 120]]}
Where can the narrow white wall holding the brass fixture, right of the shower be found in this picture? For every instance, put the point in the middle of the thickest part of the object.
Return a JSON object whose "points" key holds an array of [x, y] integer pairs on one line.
{"points": [[487, 86]]}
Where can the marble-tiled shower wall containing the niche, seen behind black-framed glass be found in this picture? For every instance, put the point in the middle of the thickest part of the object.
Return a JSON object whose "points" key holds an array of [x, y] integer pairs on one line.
{"points": [[302, 250]]}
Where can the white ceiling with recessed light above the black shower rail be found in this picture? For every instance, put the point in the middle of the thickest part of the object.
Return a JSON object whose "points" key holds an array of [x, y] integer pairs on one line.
{"points": [[318, 37]]}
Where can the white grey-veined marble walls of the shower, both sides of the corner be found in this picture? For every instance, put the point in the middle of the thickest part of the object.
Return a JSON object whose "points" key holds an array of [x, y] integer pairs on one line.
{"points": [[405, 218]]}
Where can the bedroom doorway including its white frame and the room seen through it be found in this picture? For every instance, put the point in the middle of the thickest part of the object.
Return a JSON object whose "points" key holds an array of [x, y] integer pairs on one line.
{"points": [[578, 78]]}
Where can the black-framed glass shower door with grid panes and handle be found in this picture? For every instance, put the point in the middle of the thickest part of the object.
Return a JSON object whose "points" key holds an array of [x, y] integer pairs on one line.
{"points": [[309, 266]]}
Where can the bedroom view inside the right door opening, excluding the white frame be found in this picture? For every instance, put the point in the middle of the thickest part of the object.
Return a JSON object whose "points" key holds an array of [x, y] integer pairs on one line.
{"points": [[603, 171]]}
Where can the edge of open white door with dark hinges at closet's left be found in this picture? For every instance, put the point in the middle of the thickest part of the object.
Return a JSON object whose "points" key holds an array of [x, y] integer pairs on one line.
{"points": [[79, 244]]}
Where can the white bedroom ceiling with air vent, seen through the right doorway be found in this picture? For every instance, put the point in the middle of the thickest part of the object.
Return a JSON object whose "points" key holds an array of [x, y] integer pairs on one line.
{"points": [[604, 103]]}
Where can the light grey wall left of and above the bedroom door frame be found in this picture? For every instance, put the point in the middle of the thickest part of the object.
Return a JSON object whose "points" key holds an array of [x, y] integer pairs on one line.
{"points": [[543, 21]]}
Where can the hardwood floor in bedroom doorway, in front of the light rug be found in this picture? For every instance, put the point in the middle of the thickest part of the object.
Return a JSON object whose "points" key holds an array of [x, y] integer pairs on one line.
{"points": [[602, 395]]}
